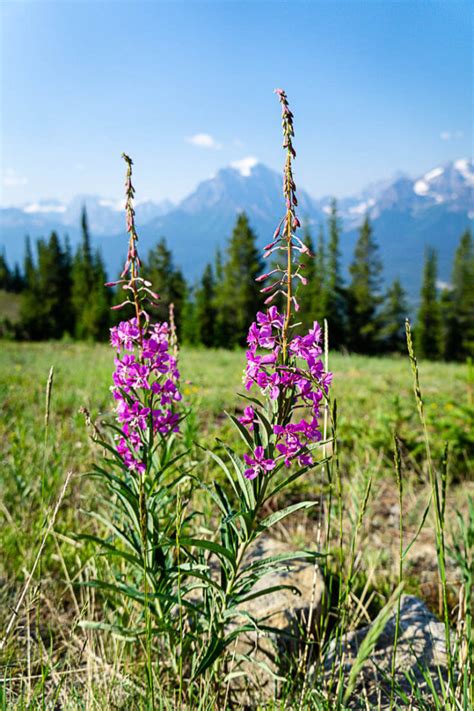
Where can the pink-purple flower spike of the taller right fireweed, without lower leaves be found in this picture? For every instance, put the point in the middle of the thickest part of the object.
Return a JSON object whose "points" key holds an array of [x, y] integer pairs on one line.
{"points": [[286, 369]]}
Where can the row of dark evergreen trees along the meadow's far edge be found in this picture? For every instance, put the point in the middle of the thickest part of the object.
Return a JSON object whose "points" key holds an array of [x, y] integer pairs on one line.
{"points": [[62, 293]]}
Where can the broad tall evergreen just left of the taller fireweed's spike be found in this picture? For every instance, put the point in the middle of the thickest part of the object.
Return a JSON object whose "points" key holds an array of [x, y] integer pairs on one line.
{"points": [[239, 295]]}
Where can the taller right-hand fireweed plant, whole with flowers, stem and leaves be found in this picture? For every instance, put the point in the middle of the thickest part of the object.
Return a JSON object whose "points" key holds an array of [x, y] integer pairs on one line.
{"points": [[286, 390]]}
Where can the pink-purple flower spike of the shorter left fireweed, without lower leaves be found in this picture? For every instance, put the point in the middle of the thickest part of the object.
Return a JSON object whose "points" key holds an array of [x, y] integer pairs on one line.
{"points": [[146, 377]]}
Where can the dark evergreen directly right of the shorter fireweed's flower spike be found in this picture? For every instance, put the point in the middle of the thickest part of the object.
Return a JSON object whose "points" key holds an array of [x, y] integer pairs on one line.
{"points": [[167, 281]]}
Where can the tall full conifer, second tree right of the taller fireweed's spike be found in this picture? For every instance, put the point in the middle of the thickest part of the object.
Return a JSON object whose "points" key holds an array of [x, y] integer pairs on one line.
{"points": [[363, 291]]}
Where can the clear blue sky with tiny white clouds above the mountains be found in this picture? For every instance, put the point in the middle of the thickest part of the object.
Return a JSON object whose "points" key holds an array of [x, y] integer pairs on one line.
{"points": [[186, 87]]}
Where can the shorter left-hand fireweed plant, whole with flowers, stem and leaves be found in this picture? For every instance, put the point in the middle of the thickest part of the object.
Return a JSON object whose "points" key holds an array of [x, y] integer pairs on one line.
{"points": [[141, 469]]}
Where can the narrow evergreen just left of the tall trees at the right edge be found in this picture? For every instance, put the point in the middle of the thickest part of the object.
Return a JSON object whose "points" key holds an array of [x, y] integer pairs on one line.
{"points": [[428, 325]]}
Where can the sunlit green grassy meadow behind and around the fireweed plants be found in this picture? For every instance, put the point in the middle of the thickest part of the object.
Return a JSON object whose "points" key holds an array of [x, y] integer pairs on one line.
{"points": [[375, 399]]}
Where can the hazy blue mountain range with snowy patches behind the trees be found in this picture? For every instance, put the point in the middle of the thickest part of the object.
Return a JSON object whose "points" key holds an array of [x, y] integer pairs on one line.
{"points": [[407, 214]]}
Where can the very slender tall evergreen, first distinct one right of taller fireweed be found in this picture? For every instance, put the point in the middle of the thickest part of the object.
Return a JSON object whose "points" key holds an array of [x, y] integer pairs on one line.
{"points": [[335, 295]]}
